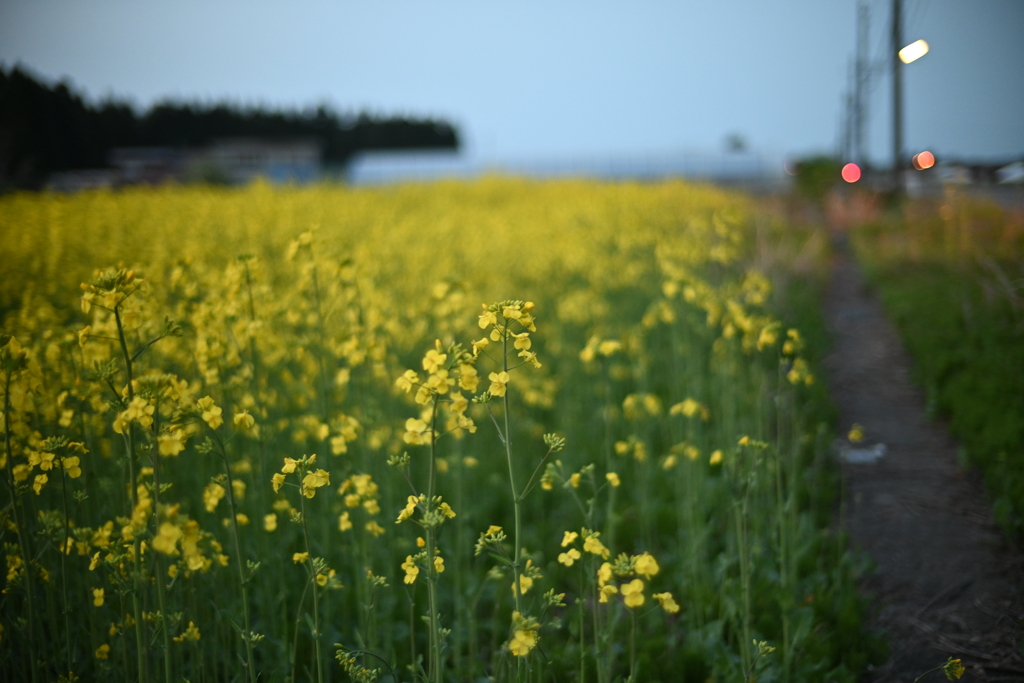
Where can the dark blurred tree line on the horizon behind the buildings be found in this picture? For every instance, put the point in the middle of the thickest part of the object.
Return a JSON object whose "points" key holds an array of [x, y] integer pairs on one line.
{"points": [[45, 130]]}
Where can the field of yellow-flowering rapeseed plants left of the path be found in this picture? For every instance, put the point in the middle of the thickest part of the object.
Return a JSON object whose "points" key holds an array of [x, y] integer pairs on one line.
{"points": [[457, 432]]}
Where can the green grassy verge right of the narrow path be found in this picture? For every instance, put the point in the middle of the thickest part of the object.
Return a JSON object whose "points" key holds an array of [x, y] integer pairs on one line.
{"points": [[957, 305]]}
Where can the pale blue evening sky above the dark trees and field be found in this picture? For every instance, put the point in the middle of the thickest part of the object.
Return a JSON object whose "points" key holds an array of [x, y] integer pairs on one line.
{"points": [[551, 78]]}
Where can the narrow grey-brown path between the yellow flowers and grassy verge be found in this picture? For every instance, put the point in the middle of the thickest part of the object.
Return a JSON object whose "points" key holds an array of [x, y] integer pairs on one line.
{"points": [[946, 584]]}
